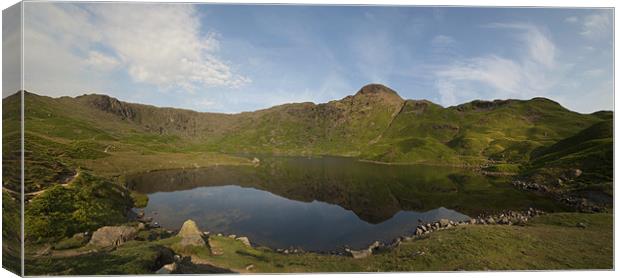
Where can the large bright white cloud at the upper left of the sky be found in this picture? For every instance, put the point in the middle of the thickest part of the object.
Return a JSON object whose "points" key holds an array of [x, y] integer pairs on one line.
{"points": [[162, 45]]}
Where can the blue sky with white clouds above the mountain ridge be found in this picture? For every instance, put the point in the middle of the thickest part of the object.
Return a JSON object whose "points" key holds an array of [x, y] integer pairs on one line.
{"points": [[231, 58]]}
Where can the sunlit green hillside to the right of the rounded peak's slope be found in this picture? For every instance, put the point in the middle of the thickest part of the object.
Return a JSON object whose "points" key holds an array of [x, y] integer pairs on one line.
{"points": [[479, 132]]}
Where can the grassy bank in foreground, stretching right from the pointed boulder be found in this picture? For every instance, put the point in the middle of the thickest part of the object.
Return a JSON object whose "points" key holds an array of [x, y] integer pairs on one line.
{"points": [[550, 242]]}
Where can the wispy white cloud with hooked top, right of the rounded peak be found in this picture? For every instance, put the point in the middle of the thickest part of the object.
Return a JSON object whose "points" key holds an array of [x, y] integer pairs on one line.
{"points": [[531, 73]]}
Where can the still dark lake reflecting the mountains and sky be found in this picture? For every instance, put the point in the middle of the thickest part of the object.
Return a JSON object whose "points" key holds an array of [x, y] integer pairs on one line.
{"points": [[325, 203]]}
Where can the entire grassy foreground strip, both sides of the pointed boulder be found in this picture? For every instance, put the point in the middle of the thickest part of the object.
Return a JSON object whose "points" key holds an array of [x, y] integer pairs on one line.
{"points": [[553, 241]]}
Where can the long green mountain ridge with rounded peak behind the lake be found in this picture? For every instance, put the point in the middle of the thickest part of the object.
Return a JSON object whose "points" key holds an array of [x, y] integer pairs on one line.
{"points": [[374, 124]]}
